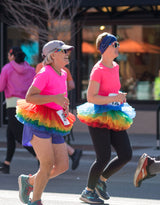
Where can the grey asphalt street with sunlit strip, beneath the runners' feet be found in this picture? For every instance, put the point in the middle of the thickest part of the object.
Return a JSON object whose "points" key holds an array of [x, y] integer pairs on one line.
{"points": [[66, 189]]}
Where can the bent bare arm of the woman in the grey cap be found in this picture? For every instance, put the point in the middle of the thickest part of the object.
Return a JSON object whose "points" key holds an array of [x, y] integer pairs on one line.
{"points": [[33, 96]]}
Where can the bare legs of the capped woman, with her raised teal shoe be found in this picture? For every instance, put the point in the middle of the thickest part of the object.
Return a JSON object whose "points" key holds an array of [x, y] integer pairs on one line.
{"points": [[53, 161]]}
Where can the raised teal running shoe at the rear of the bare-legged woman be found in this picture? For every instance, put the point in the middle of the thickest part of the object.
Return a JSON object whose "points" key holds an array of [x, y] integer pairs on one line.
{"points": [[24, 188]]}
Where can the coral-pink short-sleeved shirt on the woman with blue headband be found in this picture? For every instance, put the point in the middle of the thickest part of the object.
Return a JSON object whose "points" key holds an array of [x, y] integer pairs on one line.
{"points": [[108, 78]]}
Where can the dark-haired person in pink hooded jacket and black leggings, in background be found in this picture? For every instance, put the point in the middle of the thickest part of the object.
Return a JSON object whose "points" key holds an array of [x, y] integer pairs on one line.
{"points": [[15, 79]]}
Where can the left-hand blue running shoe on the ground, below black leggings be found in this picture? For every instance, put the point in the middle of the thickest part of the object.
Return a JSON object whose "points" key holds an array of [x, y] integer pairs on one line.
{"points": [[91, 197]]}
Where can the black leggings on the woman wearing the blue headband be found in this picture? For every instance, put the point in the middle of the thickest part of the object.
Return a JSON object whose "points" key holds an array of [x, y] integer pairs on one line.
{"points": [[102, 140]]}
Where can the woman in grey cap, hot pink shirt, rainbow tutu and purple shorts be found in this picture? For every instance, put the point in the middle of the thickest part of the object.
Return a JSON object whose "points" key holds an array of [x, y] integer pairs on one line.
{"points": [[46, 118]]}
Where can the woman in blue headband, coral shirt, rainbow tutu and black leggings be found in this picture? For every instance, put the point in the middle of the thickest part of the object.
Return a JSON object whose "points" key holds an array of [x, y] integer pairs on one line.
{"points": [[108, 116]]}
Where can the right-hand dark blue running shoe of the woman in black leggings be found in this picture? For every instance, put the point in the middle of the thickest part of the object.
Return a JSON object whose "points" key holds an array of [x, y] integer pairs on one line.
{"points": [[101, 190]]}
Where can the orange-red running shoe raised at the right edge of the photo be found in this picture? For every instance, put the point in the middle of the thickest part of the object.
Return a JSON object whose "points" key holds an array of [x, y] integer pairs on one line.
{"points": [[142, 170]]}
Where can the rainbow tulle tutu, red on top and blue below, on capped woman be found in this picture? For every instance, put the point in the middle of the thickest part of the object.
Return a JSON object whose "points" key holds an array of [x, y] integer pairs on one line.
{"points": [[43, 118]]}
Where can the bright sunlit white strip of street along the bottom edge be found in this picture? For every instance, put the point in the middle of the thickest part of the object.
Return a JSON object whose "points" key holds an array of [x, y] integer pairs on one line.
{"points": [[10, 198]]}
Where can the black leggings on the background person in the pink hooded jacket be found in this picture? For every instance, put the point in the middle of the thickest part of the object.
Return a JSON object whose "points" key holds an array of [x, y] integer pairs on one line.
{"points": [[14, 133]]}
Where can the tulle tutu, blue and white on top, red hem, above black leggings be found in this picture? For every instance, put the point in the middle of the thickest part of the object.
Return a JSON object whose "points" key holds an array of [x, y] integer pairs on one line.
{"points": [[115, 117]]}
